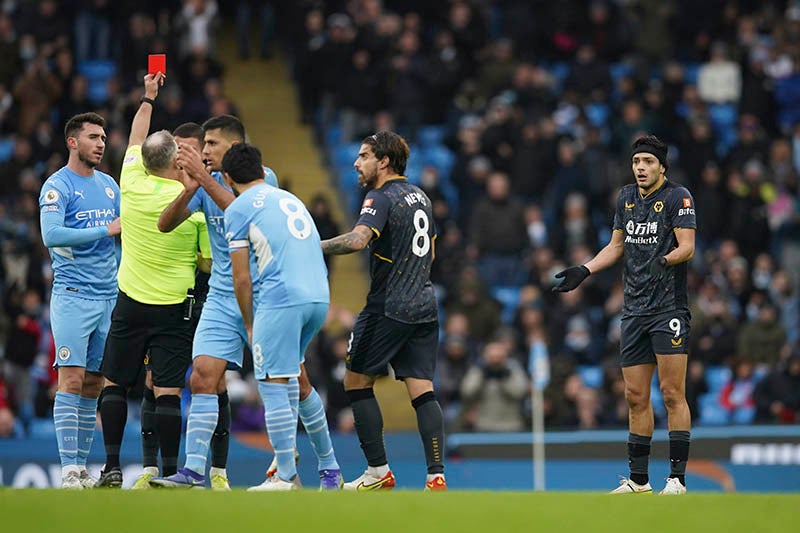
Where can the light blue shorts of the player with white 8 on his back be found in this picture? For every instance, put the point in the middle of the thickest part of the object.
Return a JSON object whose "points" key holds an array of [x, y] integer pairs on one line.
{"points": [[281, 336]]}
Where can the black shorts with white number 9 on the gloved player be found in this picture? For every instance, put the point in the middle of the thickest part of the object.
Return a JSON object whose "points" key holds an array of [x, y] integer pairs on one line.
{"points": [[644, 336]]}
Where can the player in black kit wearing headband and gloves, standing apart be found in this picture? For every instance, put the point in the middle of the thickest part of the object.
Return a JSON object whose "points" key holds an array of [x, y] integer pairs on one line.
{"points": [[654, 227]]}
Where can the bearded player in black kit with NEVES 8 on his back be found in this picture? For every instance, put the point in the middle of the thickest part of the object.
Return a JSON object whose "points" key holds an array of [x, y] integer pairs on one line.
{"points": [[399, 324]]}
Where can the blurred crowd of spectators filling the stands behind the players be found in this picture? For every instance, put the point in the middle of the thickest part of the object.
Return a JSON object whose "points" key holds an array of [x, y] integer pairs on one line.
{"points": [[520, 115]]}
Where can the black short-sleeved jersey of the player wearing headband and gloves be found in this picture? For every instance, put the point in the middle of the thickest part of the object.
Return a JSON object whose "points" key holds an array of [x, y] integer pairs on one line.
{"points": [[649, 225]]}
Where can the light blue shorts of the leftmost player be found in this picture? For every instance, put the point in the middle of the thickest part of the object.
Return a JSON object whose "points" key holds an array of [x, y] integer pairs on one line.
{"points": [[80, 327]]}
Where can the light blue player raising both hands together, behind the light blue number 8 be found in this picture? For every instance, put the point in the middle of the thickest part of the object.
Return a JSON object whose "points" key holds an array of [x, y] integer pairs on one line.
{"points": [[220, 336]]}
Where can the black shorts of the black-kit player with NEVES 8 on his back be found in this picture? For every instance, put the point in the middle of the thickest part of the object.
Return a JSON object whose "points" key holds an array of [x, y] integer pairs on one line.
{"points": [[378, 341]]}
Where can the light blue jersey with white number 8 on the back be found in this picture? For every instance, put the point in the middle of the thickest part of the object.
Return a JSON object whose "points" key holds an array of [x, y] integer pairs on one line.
{"points": [[284, 241]]}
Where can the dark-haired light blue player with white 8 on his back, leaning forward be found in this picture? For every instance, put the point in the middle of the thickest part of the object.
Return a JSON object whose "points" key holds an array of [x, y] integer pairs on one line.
{"points": [[291, 299]]}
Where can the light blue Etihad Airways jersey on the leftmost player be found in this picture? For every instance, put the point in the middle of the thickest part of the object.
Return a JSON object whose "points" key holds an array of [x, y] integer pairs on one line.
{"points": [[67, 199]]}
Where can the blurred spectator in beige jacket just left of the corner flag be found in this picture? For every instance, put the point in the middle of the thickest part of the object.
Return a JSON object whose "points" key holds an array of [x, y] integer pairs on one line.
{"points": [[493, 390]]}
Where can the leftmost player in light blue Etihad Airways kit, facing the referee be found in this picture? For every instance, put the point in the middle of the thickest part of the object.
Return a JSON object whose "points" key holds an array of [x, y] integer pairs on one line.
{"points": [[79, 211]]}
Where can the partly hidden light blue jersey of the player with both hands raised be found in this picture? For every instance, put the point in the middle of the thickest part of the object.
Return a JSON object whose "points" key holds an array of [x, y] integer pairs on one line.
{"points": [[221, 276]]}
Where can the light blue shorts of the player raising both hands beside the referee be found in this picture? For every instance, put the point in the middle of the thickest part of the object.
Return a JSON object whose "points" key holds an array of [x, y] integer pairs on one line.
{"points": [[220, 332]]}
